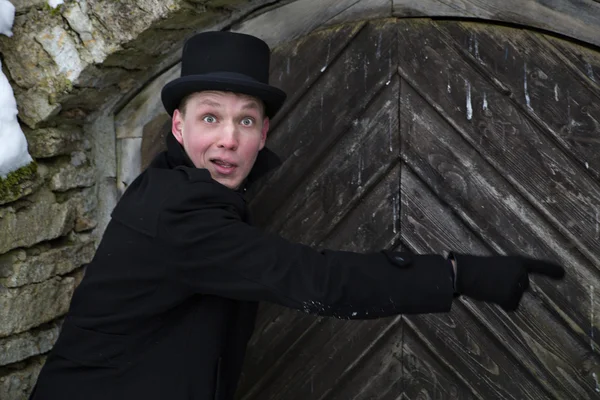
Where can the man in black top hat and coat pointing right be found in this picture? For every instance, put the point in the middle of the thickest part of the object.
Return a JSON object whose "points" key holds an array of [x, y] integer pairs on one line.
{"points": [[168, 303]]}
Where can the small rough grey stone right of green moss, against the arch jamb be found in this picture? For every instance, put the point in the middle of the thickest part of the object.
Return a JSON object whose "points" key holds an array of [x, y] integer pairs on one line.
{"points": [[77, 173]]}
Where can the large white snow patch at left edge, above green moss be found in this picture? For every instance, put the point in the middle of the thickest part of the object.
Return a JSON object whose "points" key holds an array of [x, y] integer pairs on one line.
{"points": [[13, 145]]}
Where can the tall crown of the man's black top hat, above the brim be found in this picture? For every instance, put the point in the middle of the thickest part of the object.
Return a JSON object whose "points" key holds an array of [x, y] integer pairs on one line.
{"points": [[218, 52]]}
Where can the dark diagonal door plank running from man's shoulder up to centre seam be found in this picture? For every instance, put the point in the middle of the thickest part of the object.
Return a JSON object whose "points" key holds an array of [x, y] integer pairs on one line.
{"points": [[343, 175]]}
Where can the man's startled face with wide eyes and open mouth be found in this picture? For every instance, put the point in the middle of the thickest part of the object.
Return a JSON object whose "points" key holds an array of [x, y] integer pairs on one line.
{"points": [[222, 132]]}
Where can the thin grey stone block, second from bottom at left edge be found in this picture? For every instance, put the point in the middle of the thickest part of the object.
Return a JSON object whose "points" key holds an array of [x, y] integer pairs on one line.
{"points": [[28, 344]]}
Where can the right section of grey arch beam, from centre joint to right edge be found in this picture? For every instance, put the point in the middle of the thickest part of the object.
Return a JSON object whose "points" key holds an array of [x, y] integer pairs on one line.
{"points": [[579, 19]]}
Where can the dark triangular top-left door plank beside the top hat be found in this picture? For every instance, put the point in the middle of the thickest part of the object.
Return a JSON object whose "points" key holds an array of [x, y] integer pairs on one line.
{"points": [[296, 65]]}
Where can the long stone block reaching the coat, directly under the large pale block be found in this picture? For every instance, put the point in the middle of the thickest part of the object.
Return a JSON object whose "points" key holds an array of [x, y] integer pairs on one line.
{"points": [[36, 264]]}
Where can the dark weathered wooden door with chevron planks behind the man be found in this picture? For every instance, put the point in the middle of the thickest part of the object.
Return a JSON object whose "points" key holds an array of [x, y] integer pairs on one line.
{"points": [[432, 136]]}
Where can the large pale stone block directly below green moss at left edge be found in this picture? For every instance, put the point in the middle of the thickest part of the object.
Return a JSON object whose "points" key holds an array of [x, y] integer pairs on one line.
{"points": [[34, 219]]}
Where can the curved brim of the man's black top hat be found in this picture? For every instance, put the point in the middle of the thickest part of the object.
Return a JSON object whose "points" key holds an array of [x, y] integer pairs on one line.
{"points": [[174, 91]]}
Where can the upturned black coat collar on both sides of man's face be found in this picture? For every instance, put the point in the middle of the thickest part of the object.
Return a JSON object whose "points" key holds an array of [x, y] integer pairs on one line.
{"points": [[266, 160]]}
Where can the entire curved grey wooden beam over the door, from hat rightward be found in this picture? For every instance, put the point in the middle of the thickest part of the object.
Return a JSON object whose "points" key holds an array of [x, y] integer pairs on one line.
{"points": [[577, 19]]}
